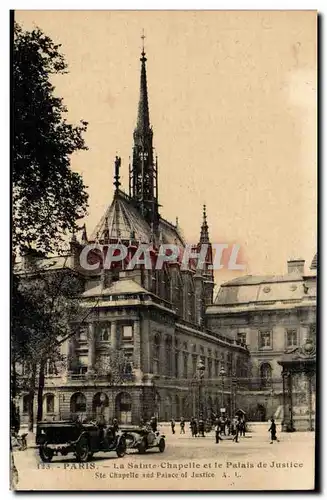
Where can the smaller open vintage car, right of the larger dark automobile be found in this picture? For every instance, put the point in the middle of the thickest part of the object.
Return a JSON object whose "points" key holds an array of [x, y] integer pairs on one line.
{"points": [[143, 438]]}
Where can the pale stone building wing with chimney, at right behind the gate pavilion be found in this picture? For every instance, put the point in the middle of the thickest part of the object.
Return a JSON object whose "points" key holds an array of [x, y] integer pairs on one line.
{"points": [[271, 314]]}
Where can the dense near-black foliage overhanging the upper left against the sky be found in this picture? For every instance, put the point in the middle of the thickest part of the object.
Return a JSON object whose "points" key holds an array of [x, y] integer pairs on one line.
{"points": [[48, 197]]}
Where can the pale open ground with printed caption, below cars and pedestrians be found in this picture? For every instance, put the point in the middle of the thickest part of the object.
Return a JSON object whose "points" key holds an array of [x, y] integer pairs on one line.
{"points": [[187, 463]]}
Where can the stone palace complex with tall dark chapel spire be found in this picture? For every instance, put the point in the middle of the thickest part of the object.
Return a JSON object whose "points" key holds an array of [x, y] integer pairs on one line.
{"points": [[155, 341]]}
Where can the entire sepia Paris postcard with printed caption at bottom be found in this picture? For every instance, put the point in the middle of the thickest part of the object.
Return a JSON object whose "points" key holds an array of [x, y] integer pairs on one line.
{"points": [[164, 269]]}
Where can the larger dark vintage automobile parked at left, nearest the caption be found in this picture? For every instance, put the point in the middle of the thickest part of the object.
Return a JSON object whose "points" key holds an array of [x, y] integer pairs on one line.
{"points": [[82, 439]]}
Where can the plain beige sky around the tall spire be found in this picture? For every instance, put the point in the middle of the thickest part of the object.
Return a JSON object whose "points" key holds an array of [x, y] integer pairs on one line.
{"points": [[233, 105]]}
